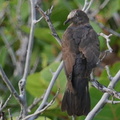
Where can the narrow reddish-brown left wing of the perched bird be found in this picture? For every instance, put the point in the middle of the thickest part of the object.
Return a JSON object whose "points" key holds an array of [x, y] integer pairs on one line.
{"points": [[68, 53]]}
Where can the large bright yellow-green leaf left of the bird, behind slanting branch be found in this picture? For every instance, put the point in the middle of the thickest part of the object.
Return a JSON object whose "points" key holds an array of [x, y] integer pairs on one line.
{"points": [[37, 83]]}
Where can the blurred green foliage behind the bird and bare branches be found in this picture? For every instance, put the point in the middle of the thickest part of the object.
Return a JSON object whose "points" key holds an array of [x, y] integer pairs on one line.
{"points": [[14, 32]]}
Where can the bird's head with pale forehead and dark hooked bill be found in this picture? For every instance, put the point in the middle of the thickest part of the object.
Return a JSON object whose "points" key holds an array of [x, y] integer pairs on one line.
{"points": [[77, 17]]}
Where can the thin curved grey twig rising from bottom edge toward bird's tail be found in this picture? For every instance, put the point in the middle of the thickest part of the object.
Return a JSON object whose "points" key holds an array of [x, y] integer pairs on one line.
{"points": [[42, 110]]}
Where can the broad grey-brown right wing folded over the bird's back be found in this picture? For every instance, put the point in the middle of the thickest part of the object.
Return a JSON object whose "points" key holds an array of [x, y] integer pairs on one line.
{"points": [[88, 42]]}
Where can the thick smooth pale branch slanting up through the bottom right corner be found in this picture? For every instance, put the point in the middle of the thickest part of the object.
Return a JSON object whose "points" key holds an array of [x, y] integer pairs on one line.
{"points": [[104, 98]]}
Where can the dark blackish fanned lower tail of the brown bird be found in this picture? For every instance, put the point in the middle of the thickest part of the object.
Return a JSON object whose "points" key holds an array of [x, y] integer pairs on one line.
{"points": [[77, 102]]}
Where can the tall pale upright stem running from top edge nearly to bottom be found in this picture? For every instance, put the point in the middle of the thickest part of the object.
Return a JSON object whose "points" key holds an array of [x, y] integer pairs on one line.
{"points": [[22, 82]]}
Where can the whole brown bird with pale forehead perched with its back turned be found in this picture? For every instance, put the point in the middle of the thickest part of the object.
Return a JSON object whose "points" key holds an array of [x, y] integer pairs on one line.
{"points": [[80, 50]]}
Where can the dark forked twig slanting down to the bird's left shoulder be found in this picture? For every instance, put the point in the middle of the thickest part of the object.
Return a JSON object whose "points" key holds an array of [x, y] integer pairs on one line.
{"points": [[47, 18]]}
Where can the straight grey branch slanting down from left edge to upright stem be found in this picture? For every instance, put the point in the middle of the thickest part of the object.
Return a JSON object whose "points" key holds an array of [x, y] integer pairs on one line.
{"points": [[9, 85]]}
